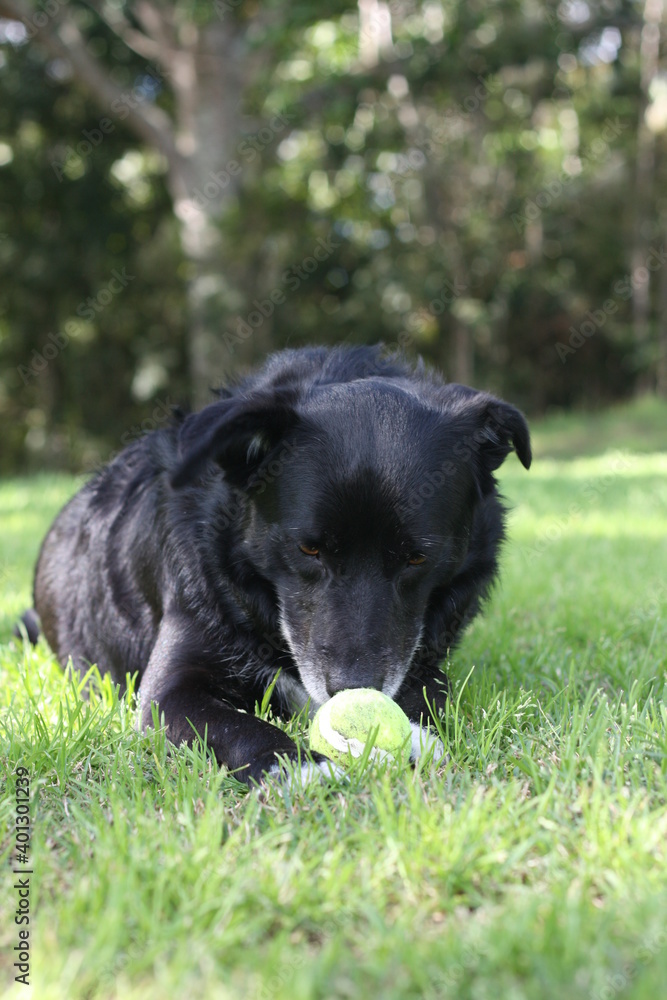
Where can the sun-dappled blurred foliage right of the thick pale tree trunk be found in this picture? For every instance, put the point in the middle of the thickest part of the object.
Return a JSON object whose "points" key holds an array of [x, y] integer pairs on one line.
{"points": [[477, 187]]}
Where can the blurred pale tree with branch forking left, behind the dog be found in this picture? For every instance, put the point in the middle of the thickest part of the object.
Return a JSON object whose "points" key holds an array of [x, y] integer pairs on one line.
{"points": [[206, 58]]}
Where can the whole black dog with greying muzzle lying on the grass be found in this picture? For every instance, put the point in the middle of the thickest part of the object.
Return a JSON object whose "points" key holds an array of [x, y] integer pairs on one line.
{"points": [[334, 517]]}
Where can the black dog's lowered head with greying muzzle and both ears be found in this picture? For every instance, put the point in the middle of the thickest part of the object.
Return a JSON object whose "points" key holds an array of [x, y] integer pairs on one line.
{"points": [[362, 500]]}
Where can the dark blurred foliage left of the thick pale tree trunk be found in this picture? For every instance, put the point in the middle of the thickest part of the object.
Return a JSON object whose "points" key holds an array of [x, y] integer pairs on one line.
{"points": [[92, 321]]}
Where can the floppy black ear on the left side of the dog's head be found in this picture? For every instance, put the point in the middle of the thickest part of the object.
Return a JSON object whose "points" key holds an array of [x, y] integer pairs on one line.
{"points": [[238, 433]]}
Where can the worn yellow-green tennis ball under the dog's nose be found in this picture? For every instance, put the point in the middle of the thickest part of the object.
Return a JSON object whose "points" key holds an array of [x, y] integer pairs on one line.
{"points": [[343, 724]]}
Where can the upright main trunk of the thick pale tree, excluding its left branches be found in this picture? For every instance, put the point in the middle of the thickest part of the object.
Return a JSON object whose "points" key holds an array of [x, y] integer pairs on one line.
{"points": [[208, 83]]}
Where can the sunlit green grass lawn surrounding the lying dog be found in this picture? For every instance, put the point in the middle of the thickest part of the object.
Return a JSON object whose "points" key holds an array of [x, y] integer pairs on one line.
{"points": [[533, 864]]}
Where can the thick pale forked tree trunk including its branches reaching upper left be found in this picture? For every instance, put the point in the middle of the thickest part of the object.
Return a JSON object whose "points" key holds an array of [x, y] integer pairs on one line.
{"points": [[208, 67]]}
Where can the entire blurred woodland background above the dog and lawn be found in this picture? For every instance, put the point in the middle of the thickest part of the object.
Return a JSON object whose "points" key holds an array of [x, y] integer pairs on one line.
{"points": [[185, 186]]}
